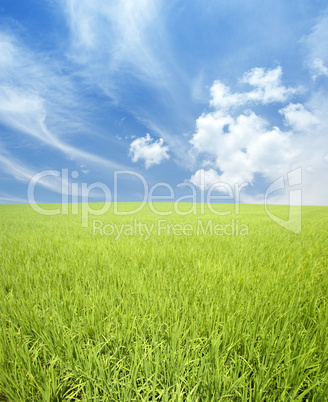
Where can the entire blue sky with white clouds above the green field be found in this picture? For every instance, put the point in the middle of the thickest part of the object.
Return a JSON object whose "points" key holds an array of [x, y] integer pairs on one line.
{"points": [[231, 91]]}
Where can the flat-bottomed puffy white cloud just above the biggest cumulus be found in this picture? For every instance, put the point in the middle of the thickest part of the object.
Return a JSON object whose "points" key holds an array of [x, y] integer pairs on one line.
{"points": [[268, 89]]}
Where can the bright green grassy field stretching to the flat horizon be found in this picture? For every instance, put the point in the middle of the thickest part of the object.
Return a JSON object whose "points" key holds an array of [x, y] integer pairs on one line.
{"points": [[176, 317]]}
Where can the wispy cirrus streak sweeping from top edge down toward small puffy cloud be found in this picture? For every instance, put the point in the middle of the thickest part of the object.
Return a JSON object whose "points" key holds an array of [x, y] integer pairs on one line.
{"points": [[123, 49]]}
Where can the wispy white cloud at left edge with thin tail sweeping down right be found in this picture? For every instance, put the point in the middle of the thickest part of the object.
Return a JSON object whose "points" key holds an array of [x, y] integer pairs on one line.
{"points": [[35, 95]]}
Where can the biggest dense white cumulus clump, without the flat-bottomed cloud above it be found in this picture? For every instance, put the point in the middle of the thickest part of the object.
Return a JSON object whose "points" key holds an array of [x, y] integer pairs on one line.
{"points": [[242, 146]]}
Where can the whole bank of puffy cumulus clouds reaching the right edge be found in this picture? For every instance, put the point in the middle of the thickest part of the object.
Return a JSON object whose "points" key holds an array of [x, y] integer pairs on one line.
{"points": [[245, 147]]}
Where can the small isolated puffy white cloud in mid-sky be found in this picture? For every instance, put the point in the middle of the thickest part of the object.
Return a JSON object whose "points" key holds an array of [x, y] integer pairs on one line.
{"points": [[152, 152]]}
